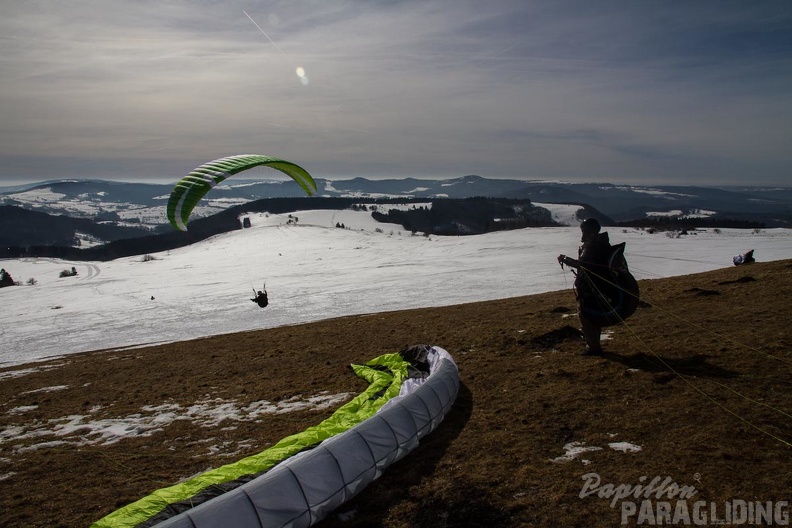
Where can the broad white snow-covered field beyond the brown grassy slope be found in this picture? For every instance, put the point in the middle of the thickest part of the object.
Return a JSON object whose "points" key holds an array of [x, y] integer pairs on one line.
{"points": [[315, 271]]}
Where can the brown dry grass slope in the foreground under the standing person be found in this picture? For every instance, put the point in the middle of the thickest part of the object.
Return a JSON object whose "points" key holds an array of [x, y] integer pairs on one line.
{"points": [[697, 379]]}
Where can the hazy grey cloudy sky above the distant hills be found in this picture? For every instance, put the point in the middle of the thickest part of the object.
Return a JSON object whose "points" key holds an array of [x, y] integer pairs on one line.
{"points": [[637, 92]]}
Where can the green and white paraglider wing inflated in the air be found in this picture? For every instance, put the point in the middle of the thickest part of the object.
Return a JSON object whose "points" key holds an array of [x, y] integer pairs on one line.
{"points": [[188, 192]]}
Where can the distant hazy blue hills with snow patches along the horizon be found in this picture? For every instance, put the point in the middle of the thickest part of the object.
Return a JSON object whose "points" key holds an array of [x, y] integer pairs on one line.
{"points": [[770, 205]]}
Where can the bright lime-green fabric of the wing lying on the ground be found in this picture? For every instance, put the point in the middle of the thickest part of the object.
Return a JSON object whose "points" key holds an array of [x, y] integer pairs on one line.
{"points": [[385, 375]]}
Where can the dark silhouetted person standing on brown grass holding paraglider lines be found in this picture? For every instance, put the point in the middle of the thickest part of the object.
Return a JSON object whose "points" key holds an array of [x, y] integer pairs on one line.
{"points": [[592, 262]]}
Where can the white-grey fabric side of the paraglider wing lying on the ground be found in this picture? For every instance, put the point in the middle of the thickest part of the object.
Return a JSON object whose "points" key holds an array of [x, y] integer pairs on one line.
{"points": [[306, 488]]}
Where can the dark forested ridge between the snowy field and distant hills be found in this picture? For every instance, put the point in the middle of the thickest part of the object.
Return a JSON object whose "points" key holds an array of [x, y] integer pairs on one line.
{"points": [[444, 216]]}
